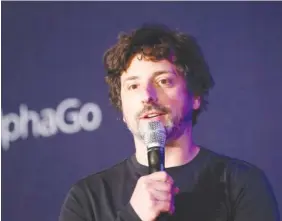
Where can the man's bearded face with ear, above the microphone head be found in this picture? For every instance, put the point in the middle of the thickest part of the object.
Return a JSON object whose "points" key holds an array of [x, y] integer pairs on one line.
{"points": [[154, 91]]}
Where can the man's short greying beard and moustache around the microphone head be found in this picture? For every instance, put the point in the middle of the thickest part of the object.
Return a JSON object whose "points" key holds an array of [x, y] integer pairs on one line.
{"points": [[174, 125]]}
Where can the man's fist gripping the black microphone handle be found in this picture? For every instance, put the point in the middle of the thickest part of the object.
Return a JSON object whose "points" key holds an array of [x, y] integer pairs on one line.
{"points": [[152, 195]]}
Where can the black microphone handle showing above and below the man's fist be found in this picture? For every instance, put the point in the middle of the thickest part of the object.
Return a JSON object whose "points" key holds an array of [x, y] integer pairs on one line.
{"points": [[156, 163]]}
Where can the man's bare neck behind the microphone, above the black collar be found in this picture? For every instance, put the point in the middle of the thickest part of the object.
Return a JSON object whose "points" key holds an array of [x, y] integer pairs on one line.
{"points": [[177, 152]]}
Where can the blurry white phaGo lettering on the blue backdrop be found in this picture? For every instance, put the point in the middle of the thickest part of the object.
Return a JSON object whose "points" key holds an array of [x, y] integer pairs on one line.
{"points": [[70, 116]]}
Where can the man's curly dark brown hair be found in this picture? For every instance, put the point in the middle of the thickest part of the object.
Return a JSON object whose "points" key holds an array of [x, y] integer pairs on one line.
{"points": [[156, 42]]}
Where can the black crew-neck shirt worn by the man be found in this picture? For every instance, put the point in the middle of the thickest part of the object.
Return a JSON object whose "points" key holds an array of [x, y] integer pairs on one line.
{"points": [[212, 188]]}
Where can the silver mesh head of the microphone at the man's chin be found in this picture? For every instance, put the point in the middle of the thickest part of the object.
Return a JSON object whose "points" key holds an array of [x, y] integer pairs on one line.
{"points": [[155, 134]]}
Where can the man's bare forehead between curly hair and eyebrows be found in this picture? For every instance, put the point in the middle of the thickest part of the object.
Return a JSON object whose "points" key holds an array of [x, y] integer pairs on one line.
{"points": [[142, 67]]}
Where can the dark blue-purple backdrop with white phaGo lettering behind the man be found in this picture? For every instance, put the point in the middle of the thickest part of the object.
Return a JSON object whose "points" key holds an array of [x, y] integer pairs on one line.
{"points": [[58, 125]]}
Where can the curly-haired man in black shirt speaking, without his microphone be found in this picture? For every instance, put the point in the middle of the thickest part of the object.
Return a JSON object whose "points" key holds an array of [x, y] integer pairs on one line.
{"points": [[156, 74]]}
